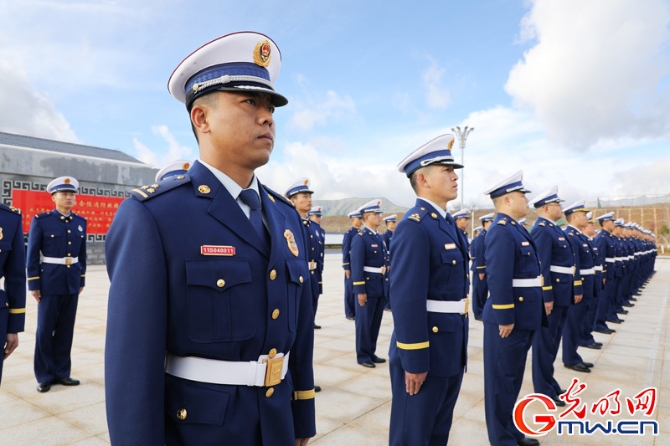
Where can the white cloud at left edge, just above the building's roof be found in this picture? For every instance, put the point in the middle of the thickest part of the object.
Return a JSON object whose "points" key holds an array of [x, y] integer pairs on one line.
{"points": [[26, 112]]}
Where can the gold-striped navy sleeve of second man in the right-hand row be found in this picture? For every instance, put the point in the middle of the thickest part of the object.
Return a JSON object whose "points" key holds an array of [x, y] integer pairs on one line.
{"points": [[500, 251]]}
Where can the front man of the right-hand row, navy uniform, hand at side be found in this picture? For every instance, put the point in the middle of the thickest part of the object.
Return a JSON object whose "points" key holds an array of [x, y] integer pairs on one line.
{"points": [[429, 288]]}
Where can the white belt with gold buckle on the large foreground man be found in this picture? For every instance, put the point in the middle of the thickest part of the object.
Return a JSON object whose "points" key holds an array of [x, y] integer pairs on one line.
{"points": [[233, 373]]}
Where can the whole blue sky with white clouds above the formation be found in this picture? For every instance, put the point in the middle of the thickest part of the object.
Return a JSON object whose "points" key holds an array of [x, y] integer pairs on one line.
{"points": [[575, 93]]}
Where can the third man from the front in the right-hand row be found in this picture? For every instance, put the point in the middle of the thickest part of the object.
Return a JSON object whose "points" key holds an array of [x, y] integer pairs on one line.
{"points": [[558, 266]]}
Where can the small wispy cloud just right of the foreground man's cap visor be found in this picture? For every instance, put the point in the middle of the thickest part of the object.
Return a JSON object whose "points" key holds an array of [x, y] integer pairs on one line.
{"points": [[322, 110]]}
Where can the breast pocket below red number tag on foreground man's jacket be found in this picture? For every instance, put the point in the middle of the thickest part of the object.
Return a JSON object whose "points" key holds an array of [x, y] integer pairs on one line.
{"points": [[220, 300]]}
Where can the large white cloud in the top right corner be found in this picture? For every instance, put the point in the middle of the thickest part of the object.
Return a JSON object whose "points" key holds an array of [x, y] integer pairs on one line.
{"points": [[597, 71]]}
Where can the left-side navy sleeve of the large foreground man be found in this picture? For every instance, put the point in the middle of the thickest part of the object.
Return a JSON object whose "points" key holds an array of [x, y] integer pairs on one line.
{"points": [[136, 328]]}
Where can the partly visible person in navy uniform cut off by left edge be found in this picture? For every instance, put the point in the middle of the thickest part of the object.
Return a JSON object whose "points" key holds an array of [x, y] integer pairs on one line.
{"points": [[13, 270]]}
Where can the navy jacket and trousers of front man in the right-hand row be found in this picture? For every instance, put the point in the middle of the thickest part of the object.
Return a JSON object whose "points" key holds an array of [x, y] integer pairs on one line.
{"points": [[431, 262]]}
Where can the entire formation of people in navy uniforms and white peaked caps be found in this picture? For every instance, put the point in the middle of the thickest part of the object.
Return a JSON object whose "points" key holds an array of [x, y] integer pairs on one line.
{"points": [[211, 317]]}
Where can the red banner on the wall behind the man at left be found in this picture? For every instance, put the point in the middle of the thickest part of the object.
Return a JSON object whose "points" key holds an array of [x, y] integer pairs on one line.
{"points": [[98, 211]]}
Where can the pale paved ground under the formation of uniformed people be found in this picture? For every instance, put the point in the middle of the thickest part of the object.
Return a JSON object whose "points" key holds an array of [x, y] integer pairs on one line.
{"points": [[354, 406]]}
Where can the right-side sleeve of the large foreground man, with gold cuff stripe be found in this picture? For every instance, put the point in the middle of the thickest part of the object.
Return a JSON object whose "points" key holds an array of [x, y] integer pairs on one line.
{"points": [[300, 363]]}
